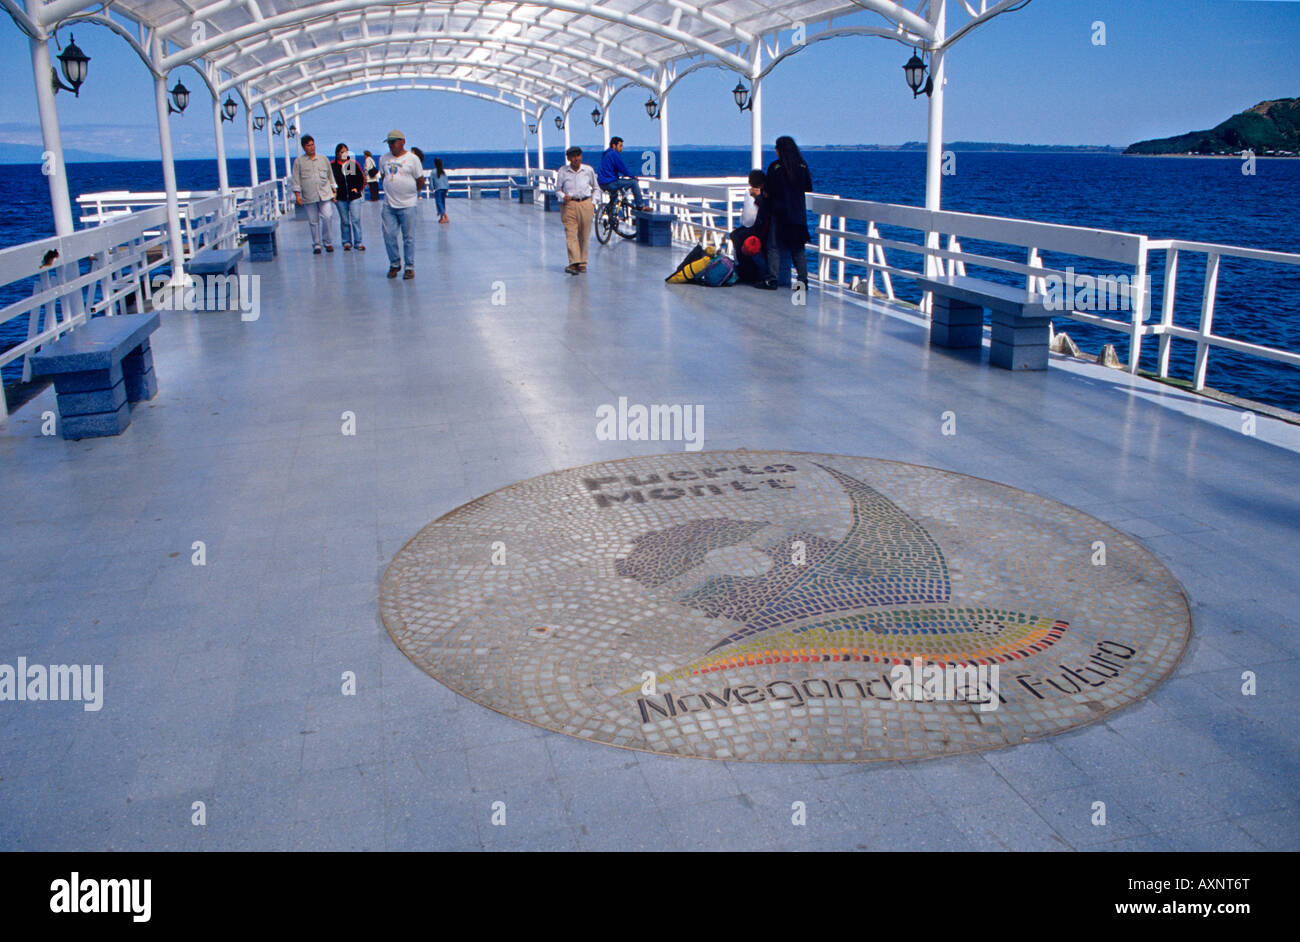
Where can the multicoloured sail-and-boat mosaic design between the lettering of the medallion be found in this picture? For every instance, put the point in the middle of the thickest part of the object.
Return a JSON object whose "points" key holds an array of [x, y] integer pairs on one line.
{"points": [[886, 565]]}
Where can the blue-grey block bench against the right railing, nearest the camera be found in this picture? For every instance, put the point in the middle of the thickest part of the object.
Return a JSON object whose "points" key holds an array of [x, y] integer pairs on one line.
{"points": [[1021, 322]]}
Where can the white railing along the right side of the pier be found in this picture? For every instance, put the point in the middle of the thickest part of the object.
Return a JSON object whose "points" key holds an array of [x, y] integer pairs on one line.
{"points": [[853, 254]]}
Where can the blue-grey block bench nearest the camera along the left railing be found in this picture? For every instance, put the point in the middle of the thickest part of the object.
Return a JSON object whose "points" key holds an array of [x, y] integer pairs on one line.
{"points": [[99, 370]]}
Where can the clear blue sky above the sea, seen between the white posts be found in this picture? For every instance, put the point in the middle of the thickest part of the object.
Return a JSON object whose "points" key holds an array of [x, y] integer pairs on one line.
{"points": [[1029, 77]]}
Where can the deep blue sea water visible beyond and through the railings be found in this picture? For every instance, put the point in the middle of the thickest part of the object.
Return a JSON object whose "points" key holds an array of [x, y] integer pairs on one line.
{"points": [[1193, 199]]}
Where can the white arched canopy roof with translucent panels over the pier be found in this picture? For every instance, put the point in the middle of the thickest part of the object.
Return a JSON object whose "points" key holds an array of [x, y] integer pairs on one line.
{"points": [[285, 54]]}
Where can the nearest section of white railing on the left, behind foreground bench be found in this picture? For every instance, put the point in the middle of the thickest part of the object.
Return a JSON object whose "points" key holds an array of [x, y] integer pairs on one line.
{"points": [[106, 270]]}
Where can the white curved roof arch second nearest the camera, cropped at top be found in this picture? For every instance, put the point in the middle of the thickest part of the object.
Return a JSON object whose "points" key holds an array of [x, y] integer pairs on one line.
{"points": [[328, 11]]}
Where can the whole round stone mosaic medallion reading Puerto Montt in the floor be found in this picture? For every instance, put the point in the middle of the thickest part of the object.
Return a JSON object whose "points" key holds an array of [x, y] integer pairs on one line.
{"points": [[785, 606]]}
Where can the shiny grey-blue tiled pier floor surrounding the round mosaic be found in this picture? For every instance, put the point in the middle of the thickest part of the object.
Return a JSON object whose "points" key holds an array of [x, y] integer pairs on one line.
{"points": [[223, 683]]}
